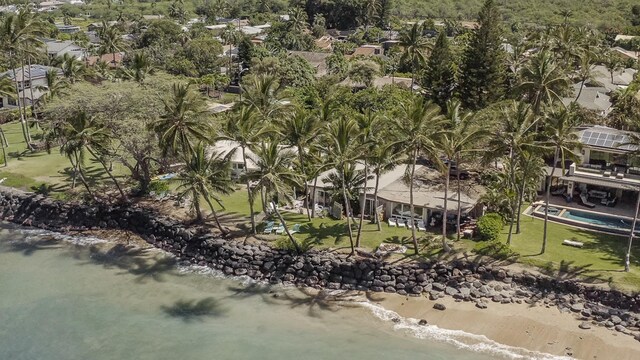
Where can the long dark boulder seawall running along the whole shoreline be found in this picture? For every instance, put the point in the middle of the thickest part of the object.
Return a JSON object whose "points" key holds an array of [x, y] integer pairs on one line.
{"points": [[462, 280]]}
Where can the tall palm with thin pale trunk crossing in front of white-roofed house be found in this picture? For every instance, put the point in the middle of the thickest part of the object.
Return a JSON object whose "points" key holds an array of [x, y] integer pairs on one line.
{"points": [[245, 129]]}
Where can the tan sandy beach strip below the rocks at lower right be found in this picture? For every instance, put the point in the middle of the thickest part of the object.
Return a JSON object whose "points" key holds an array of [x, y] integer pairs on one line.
{"points": [[535, 328]]}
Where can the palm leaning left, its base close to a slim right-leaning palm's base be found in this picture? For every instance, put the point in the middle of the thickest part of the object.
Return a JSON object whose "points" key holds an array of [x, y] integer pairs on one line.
{"points": [[341, 150]]}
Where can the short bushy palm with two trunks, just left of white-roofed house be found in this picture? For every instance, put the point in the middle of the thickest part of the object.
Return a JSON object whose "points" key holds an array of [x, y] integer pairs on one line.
{"points": [[206, 176]]}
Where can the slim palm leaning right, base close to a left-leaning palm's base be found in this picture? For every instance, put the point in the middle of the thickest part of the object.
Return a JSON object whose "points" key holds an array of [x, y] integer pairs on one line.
{"points": [[370, 125]]}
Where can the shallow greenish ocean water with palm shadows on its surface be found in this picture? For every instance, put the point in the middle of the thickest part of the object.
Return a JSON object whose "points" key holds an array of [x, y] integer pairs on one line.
{"points": [[71, 298]]}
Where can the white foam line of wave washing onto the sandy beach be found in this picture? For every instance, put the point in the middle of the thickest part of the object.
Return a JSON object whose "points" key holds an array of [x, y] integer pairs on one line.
{"points": [[457, 338]]}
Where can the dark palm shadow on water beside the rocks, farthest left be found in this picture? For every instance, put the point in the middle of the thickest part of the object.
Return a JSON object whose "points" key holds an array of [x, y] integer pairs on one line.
{"points": [[142, 263]]}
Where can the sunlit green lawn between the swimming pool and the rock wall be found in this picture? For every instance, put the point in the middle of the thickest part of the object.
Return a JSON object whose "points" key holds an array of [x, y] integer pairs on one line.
{"points": [[601, 260]]}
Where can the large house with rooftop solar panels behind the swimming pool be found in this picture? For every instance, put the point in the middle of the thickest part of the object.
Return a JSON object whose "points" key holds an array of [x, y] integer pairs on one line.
{"points": [[606, 178]]}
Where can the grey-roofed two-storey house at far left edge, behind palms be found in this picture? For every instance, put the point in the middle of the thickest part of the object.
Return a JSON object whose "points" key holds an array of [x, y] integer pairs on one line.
{"points": [[31, 83]]}
